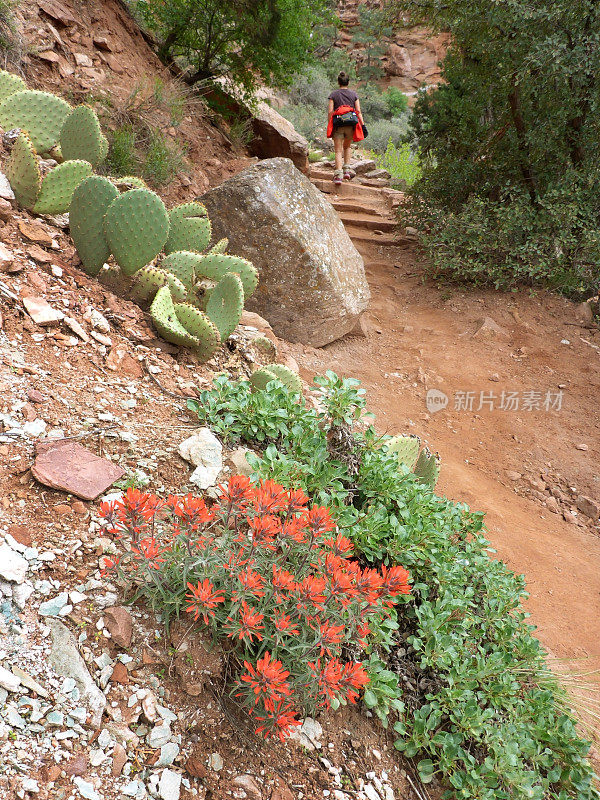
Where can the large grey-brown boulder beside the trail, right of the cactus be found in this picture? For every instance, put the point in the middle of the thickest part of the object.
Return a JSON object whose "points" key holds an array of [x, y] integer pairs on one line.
{"points": [[312, 286]]}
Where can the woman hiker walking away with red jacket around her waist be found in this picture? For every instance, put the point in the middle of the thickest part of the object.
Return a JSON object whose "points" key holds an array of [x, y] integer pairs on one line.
{"points": [[345, 125]]}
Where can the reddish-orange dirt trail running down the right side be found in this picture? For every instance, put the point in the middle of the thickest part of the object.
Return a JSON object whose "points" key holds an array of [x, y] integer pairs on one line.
{"points": [[513, 464]]}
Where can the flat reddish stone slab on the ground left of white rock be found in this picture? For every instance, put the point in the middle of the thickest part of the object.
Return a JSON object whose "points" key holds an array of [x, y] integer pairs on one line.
{"points": [[67, 465]]}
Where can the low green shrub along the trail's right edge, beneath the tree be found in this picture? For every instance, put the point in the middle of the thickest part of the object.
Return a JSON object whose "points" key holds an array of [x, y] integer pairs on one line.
{"points": [[509, 242]]}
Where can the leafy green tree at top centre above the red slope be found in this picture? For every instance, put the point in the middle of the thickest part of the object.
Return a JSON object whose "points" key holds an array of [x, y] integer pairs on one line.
{"points": [[249, 41]]}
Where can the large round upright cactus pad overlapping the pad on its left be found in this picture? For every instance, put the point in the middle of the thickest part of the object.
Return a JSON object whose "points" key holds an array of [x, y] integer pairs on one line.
{"points": [[136, 226]]}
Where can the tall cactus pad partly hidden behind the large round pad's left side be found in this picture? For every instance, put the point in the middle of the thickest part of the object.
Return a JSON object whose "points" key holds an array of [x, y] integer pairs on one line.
{"points": [[89, 204]]}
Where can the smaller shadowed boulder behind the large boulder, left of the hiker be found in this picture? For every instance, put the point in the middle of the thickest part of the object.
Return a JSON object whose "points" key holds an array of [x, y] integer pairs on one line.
{"points": [[274, 136]]}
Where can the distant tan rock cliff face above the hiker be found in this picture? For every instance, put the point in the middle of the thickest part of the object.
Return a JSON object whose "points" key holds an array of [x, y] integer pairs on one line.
{"points": [[413, 53]]}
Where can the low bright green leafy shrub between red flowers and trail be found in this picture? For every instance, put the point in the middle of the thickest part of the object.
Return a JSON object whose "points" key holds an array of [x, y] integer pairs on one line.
{"points": [[486, 714]]}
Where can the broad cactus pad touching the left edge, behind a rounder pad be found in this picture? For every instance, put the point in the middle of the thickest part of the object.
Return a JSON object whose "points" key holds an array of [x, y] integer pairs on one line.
{"points": [[41, 114]]}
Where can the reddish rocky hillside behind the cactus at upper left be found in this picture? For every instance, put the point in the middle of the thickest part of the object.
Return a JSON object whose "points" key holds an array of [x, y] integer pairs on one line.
{"points": [[94, 52]]}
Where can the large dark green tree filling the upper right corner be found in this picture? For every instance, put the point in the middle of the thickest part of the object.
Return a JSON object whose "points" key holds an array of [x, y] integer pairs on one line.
{"points": [[515, 122]]}
